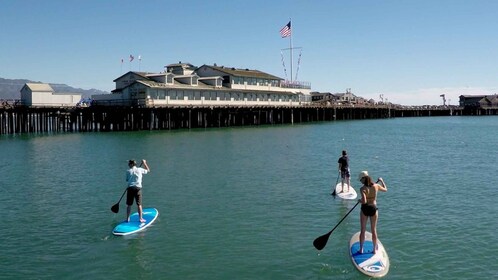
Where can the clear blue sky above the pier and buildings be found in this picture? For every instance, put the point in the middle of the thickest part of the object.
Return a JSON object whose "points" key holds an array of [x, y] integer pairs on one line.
{"points": [[411, 51]]}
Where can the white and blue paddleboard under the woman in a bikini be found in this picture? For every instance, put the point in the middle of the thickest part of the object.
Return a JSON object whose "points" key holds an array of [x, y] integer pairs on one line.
{"points": [[372, 265]]}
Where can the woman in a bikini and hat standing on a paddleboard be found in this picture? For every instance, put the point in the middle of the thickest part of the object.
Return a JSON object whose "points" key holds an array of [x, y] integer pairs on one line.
{"points": [[369, 206]]}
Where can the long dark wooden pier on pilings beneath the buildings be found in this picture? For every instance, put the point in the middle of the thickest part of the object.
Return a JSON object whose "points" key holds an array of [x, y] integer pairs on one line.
{"points": [[17, 120]]}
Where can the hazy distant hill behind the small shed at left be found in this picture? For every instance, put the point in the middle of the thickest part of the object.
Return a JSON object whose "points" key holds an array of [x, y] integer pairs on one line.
{"points": [[11, 89]]}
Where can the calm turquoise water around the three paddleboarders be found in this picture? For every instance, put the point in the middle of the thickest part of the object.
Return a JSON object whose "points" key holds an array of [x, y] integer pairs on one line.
{"points": [[247, 203]]}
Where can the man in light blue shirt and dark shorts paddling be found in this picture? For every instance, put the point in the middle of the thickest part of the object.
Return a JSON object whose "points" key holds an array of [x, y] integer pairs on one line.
{"points": [[134, 191]]}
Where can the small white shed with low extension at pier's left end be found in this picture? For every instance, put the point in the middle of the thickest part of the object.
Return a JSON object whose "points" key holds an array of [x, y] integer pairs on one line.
{"points": [[42, 95]]}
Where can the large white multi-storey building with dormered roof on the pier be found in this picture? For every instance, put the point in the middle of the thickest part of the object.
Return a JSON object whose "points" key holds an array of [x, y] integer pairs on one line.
{"points": [[182, 84]]}
